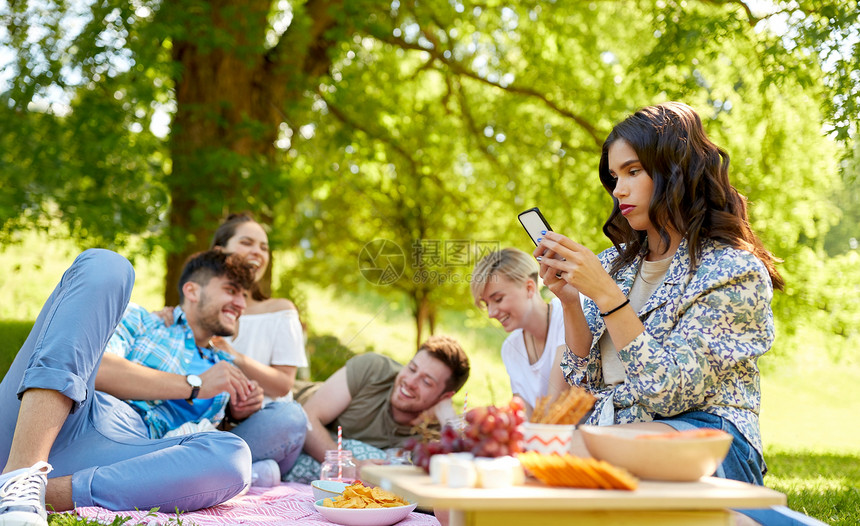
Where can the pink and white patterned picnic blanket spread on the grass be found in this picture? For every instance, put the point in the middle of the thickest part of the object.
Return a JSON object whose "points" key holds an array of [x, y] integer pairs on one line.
{"points": [[289, 503]]}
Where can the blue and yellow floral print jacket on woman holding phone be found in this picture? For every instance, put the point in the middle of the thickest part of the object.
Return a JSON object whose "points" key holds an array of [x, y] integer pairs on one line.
{"points": [[705, 328]]}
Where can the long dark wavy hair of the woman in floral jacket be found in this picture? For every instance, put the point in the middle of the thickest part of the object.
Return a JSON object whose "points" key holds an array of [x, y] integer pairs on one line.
{"points": [[692, 192]]}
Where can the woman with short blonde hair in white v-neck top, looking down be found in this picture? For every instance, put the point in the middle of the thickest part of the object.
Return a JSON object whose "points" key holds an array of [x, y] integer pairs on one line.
{"points": [[505, 282]]}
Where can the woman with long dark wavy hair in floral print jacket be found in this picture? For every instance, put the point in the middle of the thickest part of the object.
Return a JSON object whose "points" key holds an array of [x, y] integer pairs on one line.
{"points": [[678, 310]]}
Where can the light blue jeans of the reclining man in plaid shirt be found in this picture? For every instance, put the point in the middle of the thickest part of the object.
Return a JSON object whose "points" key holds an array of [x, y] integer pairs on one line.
{"points": [[104, 444]]}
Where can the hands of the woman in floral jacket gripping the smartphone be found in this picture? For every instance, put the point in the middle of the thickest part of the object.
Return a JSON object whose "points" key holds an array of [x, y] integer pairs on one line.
{"points": [[579, 270]]}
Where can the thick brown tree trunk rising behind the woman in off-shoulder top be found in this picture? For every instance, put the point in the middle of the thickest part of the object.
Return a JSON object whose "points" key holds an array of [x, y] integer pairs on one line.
{"points": [[231, 94]]}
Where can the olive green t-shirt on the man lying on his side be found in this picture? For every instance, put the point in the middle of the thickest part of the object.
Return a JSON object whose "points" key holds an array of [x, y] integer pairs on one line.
{"points": [[370, 379]]}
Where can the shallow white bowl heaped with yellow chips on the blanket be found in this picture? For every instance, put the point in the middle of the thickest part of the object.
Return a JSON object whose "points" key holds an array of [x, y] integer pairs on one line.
{"points": [[363, 506]]}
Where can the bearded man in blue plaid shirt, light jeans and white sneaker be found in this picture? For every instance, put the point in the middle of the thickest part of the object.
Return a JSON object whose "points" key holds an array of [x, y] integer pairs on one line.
{"points": [[101, 451]]}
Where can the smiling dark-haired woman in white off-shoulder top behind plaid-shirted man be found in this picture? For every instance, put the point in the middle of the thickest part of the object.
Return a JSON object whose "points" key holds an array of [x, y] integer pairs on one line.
{"points": [[270, 331]]}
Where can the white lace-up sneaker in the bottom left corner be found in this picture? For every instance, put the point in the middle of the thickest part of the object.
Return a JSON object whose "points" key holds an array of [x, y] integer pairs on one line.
{"points": [[22, 496]]}
